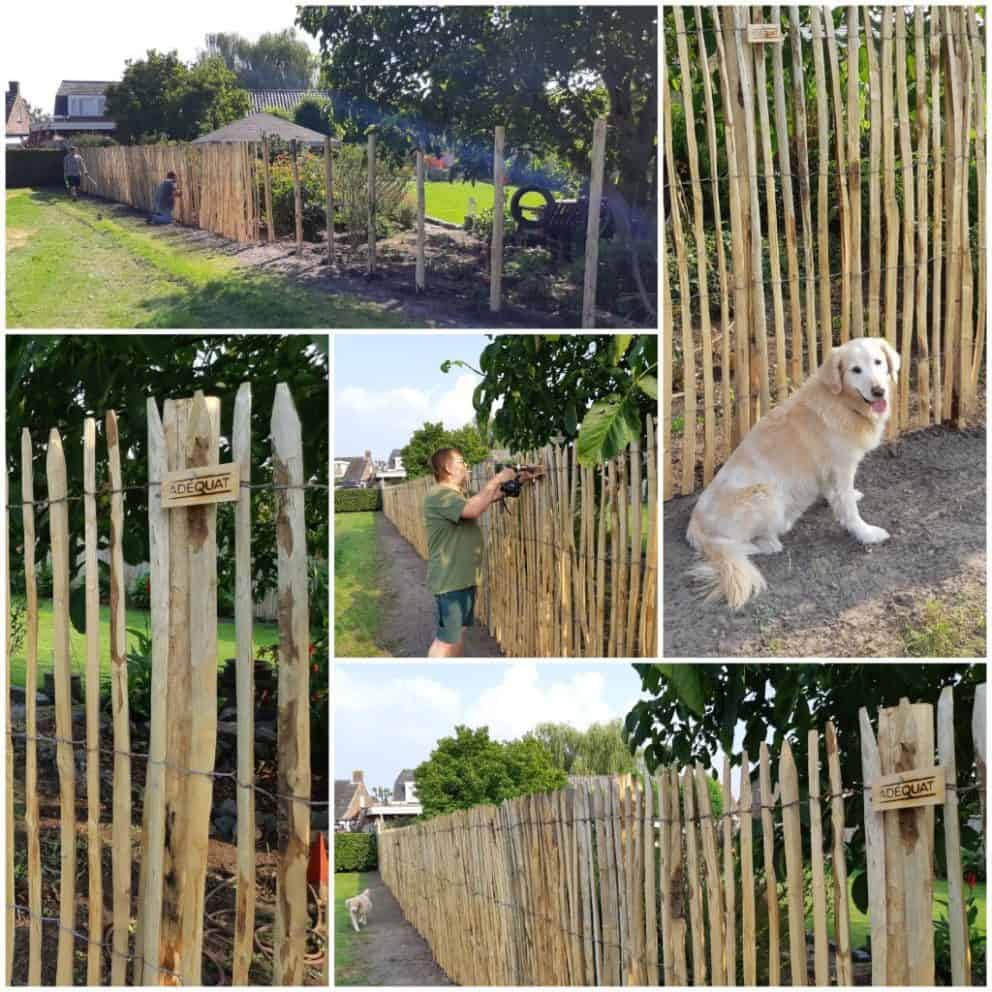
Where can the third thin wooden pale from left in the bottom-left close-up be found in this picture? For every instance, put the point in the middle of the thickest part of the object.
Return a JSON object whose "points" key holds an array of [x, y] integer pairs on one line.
{"points": [[93, 844]]}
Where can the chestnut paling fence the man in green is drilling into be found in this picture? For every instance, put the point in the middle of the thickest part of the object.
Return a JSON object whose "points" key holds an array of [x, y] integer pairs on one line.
{"points": [[570, 567]]}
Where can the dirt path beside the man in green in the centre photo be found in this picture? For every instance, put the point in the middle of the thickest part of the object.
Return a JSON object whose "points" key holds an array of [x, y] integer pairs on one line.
{"points": [[409, 621]]}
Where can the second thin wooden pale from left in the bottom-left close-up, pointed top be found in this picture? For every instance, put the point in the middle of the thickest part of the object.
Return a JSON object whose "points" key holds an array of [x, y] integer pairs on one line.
{"points": [[58, 518]]}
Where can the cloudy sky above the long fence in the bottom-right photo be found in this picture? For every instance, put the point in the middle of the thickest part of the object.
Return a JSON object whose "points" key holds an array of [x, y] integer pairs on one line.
{"points": [[389, 716]]}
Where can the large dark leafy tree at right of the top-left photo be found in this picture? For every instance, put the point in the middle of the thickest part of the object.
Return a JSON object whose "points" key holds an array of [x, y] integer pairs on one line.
{"points": [[546, 73]]}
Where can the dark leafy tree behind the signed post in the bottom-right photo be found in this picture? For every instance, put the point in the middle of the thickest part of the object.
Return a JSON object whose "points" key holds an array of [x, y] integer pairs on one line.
{"points": [[695, 711]]}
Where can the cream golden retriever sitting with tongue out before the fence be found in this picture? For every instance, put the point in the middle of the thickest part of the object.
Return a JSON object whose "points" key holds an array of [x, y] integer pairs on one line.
{"points": [[807, 447]]}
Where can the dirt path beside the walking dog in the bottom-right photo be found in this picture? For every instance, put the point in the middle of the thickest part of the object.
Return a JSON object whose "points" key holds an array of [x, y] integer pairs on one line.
{"points": [[396, 954]]}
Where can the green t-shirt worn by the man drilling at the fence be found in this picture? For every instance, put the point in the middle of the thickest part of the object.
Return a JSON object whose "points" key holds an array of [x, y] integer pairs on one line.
{"points": [[454, 545]]}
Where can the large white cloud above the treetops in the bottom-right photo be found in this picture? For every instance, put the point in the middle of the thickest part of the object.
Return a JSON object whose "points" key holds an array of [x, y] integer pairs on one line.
{"points": [[519, 703]]}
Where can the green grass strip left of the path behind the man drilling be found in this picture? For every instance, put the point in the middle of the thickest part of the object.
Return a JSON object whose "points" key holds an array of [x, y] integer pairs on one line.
{"points": [[357, 590]]}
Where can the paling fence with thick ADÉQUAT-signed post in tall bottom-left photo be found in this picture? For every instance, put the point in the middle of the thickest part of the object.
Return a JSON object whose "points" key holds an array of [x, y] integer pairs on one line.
{"points": [[157, 932]]}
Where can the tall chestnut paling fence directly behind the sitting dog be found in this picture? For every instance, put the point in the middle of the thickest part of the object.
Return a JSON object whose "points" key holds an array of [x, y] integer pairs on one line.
{"points": [[835, 206]]}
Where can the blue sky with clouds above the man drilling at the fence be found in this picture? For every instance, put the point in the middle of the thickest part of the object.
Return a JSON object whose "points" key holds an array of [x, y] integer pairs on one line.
{"points": [[387, 385]]}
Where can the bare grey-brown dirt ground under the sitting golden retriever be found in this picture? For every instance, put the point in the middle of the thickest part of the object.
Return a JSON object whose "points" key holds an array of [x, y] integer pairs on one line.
{"points": [[828, 595]]}
